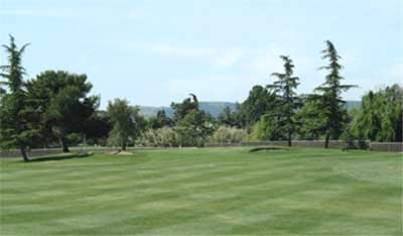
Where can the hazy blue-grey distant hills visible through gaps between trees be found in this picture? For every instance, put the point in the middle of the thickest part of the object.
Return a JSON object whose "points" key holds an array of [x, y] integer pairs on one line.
{"points": [[214, 108]]}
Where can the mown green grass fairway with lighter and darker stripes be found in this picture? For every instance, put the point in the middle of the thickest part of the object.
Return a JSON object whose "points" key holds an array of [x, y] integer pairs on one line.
{"points": [[212, 191]]}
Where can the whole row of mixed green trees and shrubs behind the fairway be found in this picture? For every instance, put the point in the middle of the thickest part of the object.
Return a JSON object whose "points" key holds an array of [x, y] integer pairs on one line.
{"points": [[55, 109]]}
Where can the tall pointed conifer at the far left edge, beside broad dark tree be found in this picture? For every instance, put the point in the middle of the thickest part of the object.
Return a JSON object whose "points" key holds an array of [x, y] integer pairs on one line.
{"points": [[17, 129]]}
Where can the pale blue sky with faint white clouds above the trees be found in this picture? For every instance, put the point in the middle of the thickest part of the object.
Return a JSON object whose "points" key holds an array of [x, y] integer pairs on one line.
{"points": [[153, 52]]}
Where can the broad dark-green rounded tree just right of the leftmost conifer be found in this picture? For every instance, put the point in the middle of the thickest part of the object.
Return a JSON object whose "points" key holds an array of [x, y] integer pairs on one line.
{"points": [[62, 100]]}
